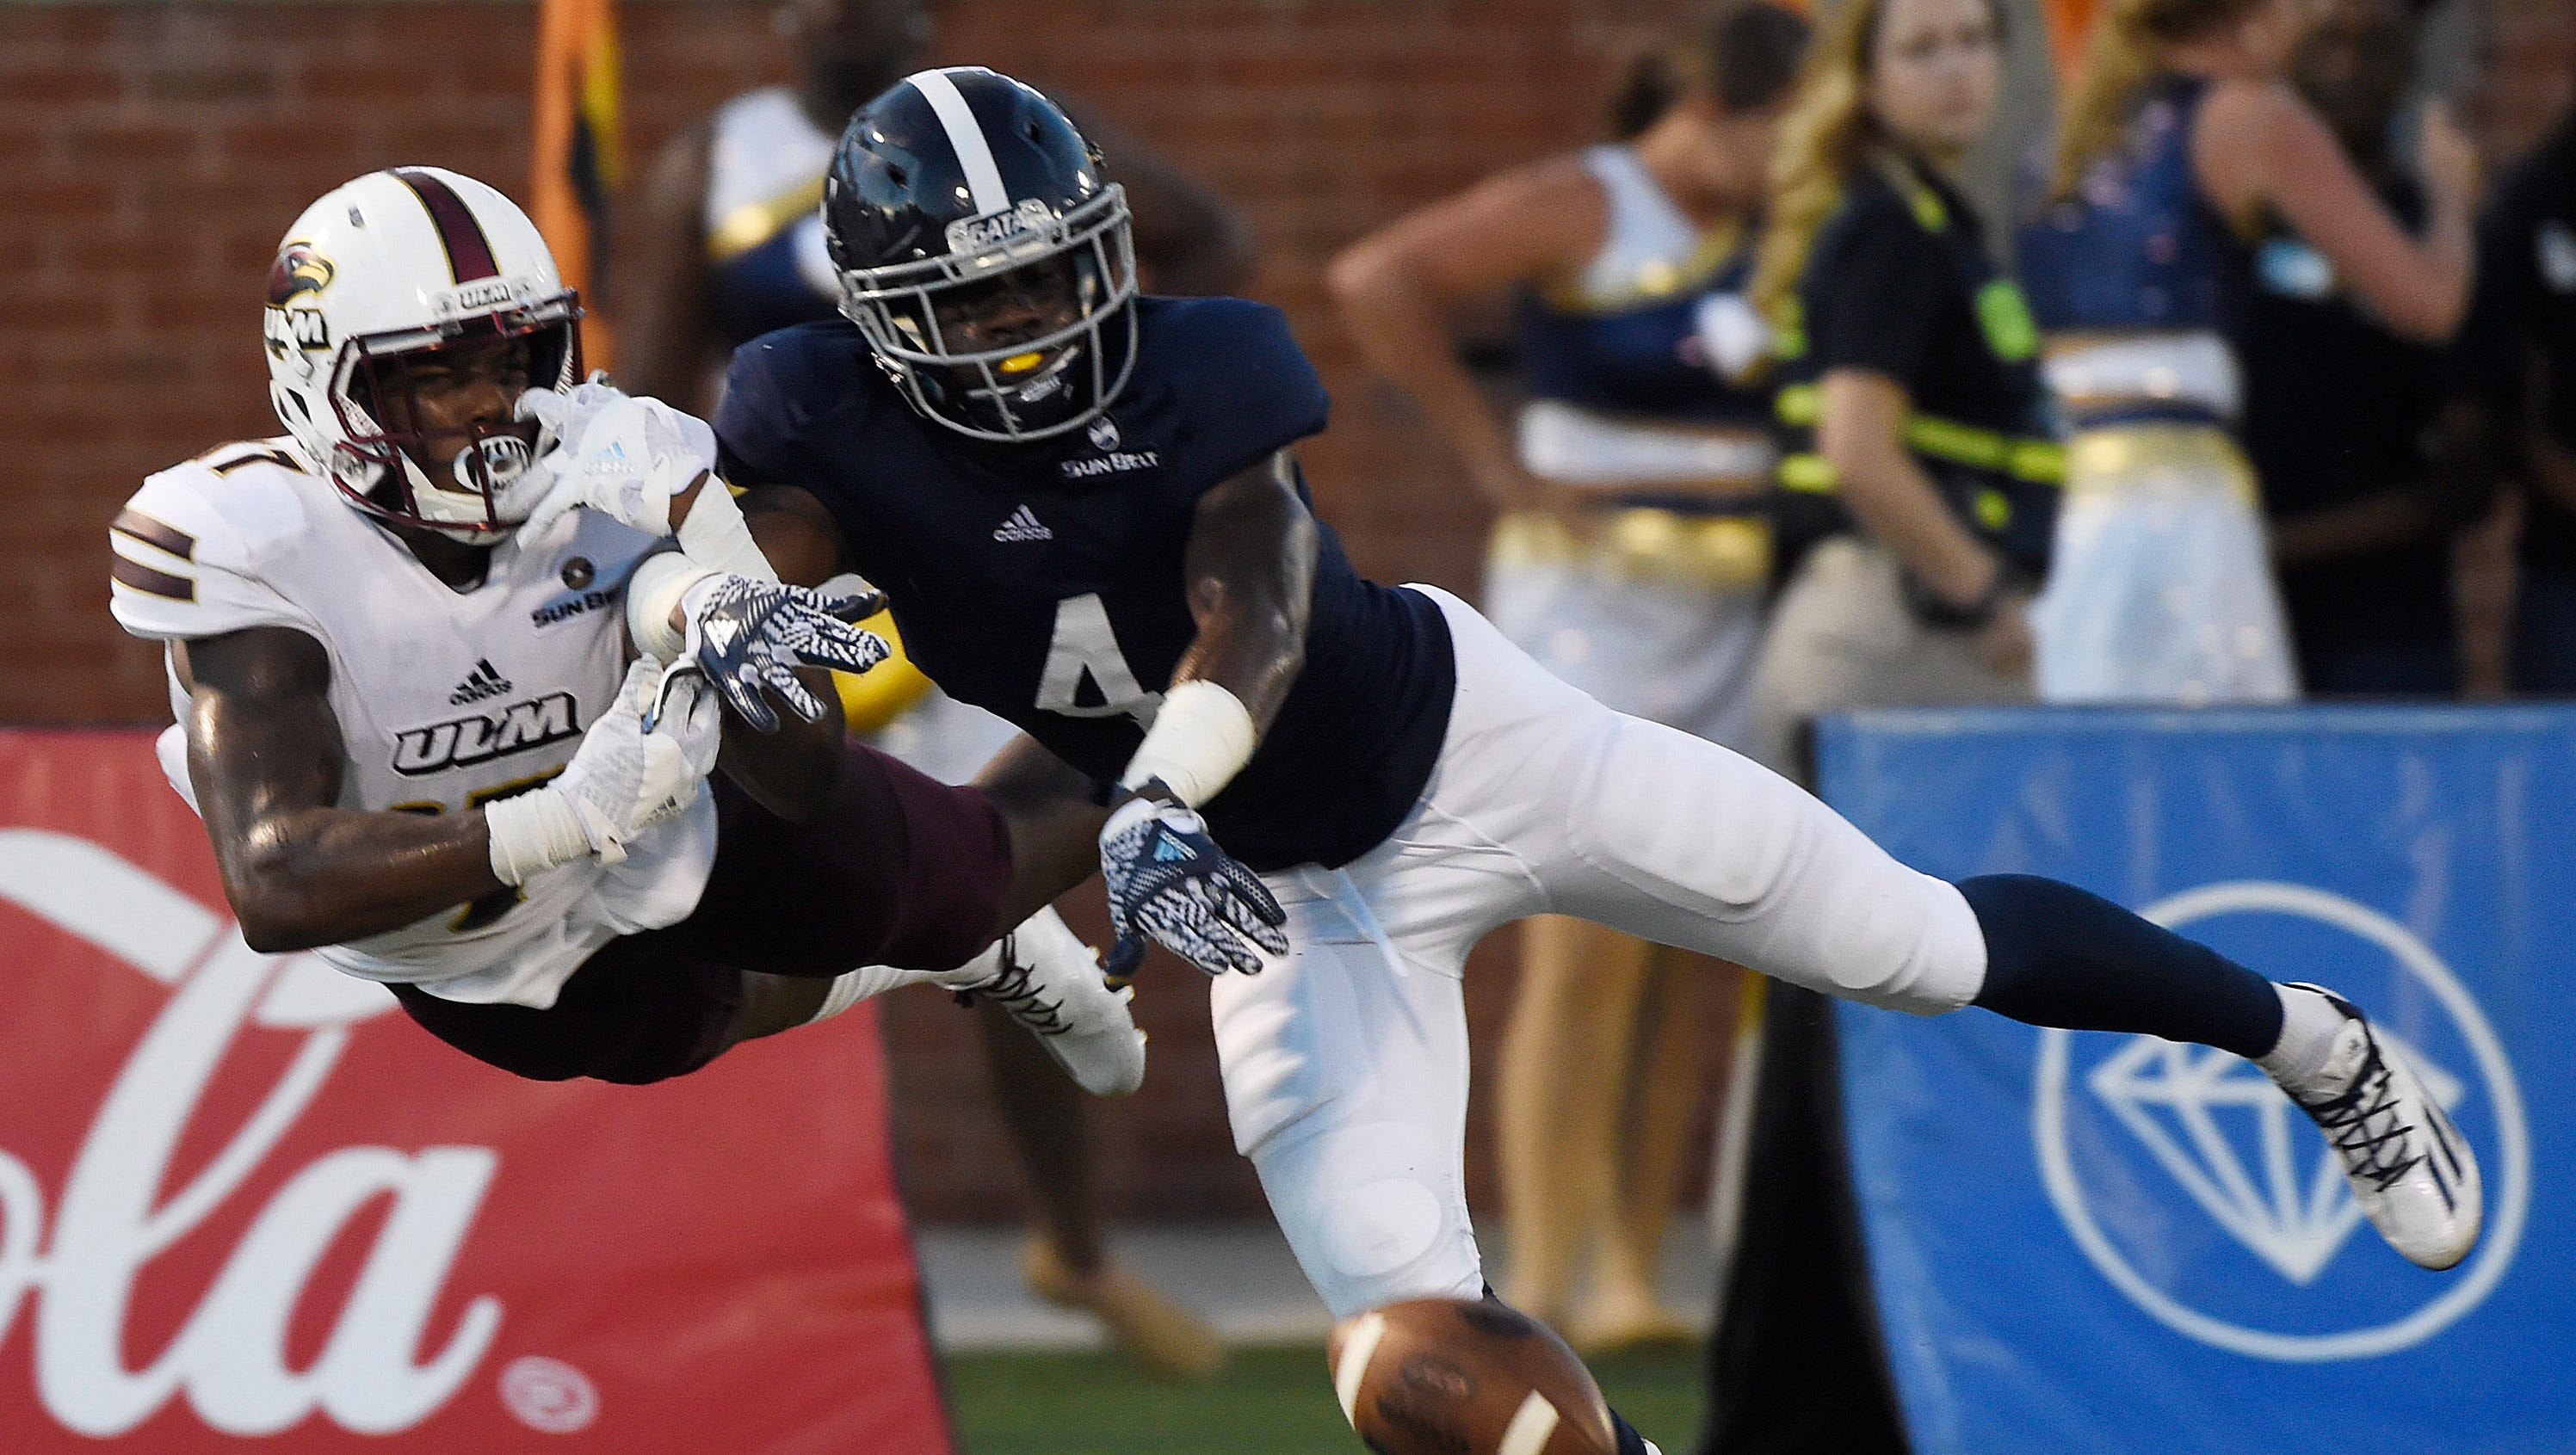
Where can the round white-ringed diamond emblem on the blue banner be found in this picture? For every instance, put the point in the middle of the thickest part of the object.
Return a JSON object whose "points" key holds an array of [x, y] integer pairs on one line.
{"points": [[2150, 1147]]}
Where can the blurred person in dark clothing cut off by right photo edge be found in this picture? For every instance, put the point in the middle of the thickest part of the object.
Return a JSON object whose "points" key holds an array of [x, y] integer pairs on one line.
{"points": [[2523, 344]]}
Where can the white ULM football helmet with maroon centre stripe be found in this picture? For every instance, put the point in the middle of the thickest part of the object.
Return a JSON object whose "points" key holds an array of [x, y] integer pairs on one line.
{"points": [[383, 274]]}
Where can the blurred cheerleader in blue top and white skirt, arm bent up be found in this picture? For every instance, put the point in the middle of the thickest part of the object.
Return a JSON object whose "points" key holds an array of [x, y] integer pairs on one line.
{"points": [[2181, 140]]}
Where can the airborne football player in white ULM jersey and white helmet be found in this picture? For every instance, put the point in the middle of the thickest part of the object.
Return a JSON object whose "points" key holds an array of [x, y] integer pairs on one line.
{"points": [[452, 735]]}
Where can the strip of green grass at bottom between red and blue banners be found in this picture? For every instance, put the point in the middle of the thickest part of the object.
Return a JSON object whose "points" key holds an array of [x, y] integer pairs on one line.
{"points": [[1269, 1402]]}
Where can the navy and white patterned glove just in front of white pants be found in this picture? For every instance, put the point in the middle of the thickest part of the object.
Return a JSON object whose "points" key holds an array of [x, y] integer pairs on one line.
{"points": [[1168, 879]]}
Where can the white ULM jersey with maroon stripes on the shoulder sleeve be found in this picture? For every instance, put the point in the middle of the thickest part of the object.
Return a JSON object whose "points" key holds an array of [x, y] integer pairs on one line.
{"points": [[444, 699]]}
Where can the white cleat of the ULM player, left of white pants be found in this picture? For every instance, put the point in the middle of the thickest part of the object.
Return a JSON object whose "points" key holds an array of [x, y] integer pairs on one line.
{"points": [[1052, 985]]}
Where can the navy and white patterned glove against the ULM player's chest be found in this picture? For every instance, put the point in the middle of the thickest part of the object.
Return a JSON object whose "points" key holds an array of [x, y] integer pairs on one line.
{"points": [[753, 635]]}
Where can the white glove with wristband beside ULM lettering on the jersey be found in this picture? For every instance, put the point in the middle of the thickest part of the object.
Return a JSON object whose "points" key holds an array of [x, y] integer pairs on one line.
{"points": [[622, 779]]}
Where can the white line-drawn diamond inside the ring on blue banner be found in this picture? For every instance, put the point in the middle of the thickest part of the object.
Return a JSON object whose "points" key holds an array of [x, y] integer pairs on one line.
{"points": [[2235, 1142]]}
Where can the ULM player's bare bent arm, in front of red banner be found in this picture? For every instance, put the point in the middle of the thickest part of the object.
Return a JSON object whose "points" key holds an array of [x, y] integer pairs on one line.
{"points": [[264, 753]]}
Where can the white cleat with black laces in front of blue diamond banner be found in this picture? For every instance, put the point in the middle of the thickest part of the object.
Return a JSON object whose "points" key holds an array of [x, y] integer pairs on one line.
{"points": [[2412, 1173]]}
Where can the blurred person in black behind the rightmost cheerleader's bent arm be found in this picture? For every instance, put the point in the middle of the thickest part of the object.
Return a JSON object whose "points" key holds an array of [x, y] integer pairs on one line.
{"points": [[2340, 411]]}
